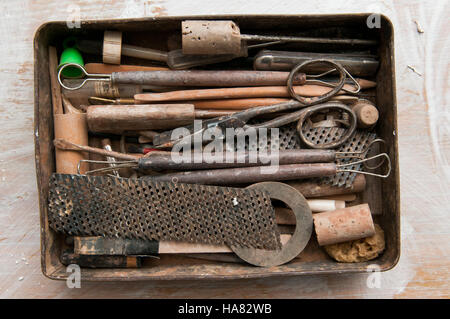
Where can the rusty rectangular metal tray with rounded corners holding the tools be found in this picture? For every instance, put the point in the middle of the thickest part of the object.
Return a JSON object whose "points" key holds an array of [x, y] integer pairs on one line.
{"points": [[382, 196]]}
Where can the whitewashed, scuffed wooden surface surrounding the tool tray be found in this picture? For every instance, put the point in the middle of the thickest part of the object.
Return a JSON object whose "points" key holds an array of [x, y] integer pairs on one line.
{"points": [[424, 145]]}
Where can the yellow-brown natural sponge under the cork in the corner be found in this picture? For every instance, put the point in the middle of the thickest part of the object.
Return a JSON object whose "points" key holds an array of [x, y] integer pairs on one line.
{"points": [[358, 250]]}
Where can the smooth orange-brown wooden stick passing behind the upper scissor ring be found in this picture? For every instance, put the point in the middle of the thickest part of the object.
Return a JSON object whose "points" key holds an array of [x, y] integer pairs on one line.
{"points": [[242, 92]]}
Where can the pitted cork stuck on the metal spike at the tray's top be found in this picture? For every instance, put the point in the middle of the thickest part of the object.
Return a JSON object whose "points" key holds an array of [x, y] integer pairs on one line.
{"points": [[210, 37]]}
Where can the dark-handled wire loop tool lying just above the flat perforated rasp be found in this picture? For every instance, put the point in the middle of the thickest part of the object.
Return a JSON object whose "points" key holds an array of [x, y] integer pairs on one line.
{"points": [[255, 174]]}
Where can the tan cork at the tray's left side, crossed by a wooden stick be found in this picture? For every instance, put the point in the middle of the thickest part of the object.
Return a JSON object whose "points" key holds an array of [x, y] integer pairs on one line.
{"points": [[73, 128]]}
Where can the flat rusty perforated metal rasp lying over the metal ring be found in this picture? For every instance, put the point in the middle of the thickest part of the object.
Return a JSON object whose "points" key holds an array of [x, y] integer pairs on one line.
{"points": [[108, 206]]}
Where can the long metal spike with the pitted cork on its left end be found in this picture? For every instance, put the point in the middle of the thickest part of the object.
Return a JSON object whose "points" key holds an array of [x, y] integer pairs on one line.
{"points": [[224, 37]]}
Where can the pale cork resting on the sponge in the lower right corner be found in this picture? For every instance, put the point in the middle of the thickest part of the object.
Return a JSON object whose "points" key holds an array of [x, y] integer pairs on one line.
{"points": [[344, 225]]}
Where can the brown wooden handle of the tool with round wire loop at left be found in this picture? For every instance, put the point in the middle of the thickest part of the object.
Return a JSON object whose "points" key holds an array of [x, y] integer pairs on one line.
{"points": [[205, 78]]}
